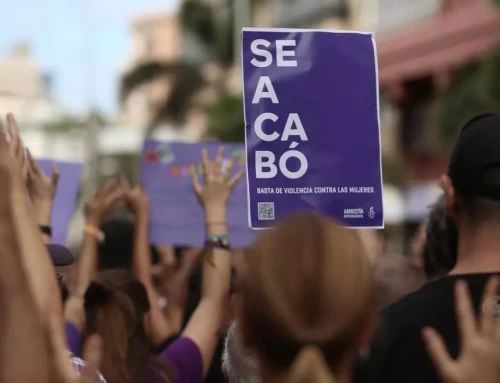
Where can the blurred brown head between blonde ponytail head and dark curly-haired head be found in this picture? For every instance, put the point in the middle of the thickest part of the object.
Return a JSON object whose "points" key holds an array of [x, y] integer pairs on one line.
{"points": [[395, 277]]}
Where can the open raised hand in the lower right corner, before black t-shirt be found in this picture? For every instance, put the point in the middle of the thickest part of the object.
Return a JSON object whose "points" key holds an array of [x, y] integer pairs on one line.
{"points": [[479, 359]]}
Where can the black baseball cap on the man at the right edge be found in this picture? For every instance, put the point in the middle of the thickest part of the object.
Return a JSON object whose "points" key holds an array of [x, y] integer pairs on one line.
{"points": [[476, 154]]}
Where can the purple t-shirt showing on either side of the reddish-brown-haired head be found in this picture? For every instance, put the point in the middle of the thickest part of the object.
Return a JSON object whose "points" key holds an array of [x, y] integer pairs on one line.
{"points": [[183, 356]]}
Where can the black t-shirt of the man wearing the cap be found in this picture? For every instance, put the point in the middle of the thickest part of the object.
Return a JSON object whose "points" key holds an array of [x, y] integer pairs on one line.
{"points": [[398, 353]]}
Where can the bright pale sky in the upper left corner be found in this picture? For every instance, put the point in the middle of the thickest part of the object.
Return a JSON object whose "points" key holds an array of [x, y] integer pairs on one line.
{"points": [[81, 43]]}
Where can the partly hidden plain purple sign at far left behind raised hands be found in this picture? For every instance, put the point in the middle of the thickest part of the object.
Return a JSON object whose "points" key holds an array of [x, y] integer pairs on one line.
{"points": [[65, 201]]}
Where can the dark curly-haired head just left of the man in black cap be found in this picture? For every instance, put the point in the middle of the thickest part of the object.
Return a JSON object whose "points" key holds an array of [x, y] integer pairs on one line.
{"points": [[441, 241]]}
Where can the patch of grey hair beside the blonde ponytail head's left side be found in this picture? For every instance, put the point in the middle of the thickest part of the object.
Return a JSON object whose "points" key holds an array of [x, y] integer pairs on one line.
{"points": [[239, 363]]}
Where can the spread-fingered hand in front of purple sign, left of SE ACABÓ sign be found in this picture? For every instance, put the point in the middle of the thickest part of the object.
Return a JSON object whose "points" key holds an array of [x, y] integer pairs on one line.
{"points": [[217, 184]]}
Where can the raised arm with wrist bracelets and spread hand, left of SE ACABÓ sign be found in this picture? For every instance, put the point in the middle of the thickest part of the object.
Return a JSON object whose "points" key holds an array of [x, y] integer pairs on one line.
{"points": [[204, 326]]}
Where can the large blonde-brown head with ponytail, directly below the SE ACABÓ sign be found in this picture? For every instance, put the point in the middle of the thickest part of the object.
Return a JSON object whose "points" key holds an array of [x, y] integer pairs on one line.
{"points": [[307, 299]]}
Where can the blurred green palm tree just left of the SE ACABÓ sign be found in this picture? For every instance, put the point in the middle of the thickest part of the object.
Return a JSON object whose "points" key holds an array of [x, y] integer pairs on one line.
{"points": [[213, 28]]}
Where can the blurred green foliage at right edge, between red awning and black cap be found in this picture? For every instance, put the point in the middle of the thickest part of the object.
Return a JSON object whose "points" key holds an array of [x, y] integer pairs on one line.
{"points": [[474, 89]]}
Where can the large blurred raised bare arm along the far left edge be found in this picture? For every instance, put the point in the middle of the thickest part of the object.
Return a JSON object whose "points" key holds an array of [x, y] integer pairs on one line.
{"points": [[23, 354]]}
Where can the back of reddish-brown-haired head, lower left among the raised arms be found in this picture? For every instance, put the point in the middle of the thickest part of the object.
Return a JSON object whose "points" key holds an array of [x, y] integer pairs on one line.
{"points": [[115, 305]]}
